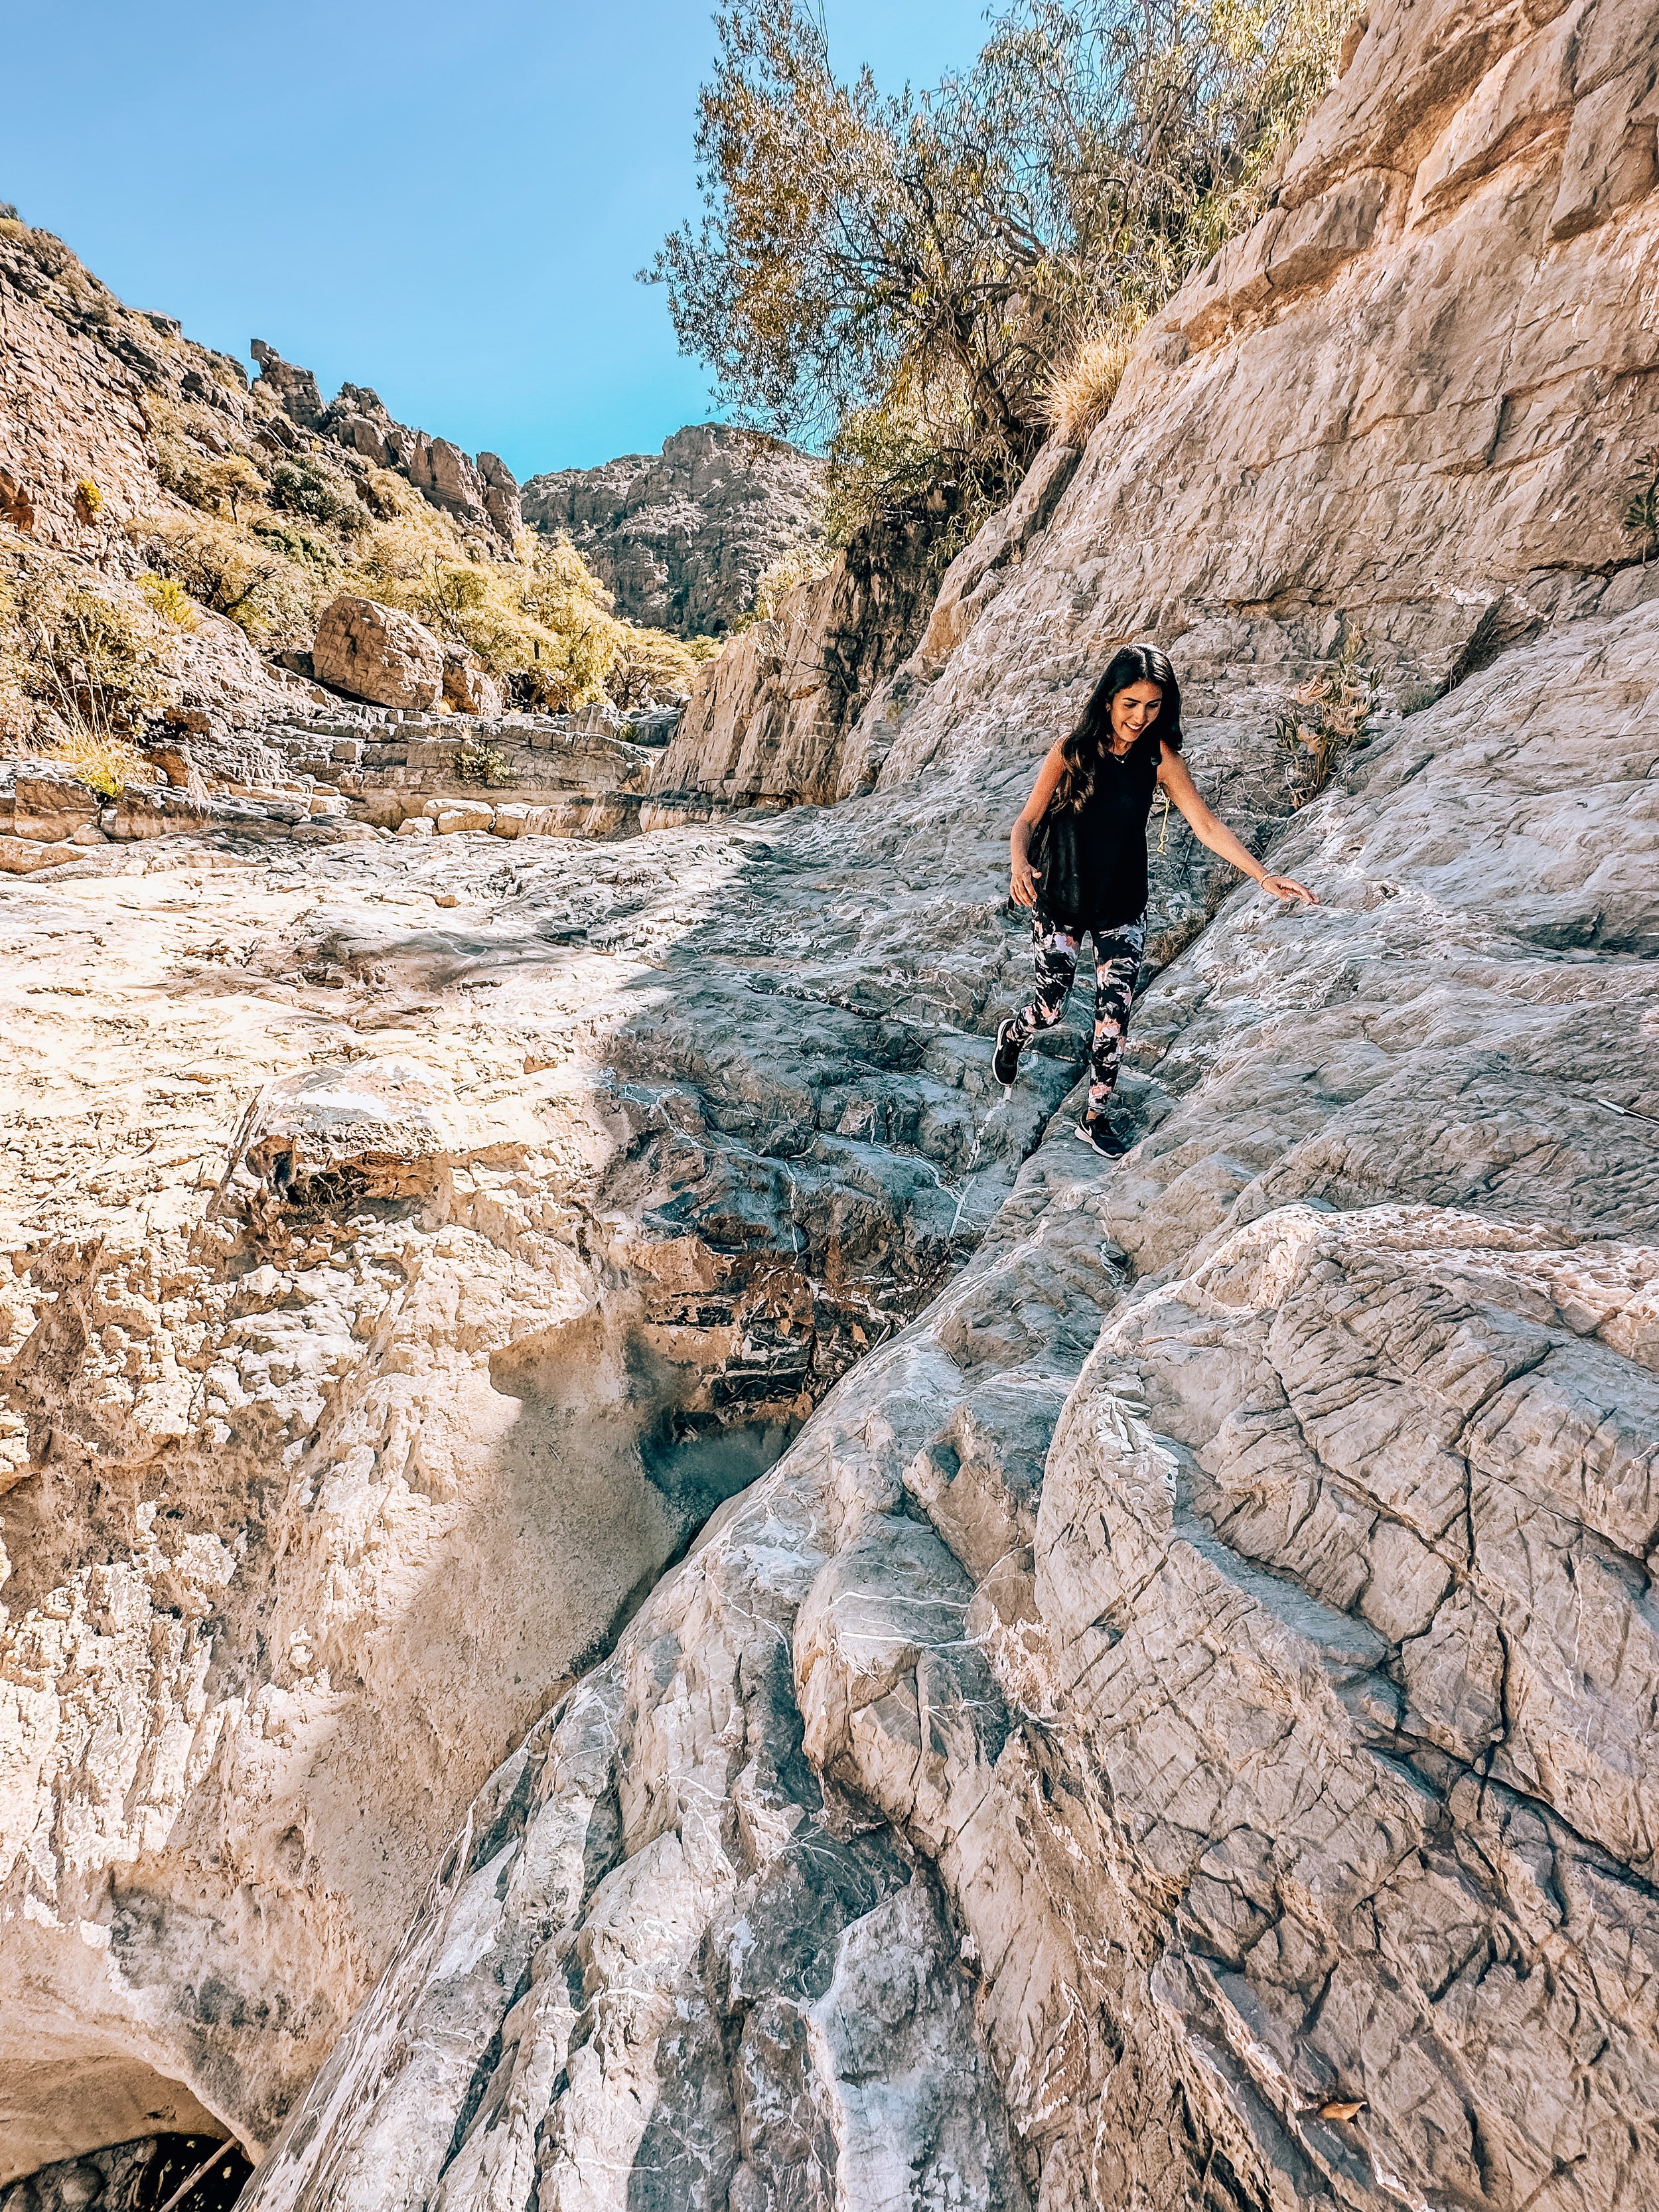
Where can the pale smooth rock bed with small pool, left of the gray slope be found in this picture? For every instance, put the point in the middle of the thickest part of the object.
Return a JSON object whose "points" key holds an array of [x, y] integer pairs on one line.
{"points": [[421, 1240]]}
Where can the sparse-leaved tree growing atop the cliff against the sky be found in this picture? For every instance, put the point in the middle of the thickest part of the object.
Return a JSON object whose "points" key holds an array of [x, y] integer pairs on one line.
{"points": [[901, 278]]}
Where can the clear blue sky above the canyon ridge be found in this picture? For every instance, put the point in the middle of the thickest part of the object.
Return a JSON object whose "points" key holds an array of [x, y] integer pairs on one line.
{"points": [[444, 202]]}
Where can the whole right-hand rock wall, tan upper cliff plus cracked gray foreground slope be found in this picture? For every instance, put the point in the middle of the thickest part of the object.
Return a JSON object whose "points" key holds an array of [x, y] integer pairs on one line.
{"points": [[1173, 1729]]}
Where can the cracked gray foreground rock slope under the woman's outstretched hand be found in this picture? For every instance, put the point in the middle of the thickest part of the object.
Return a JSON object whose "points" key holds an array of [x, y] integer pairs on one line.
{"points": [[1224, 1611]]}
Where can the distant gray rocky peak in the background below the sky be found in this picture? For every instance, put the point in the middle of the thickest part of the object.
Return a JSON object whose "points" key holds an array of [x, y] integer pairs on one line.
{"points": [[685, 534]]}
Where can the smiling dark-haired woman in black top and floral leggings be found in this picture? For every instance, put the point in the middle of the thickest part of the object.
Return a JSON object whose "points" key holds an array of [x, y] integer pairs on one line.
{"points": [[1094, 795]]}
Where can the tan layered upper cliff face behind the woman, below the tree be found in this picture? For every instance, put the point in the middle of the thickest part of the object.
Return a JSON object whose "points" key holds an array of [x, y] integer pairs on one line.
{"points": [[1415, 399]]}
